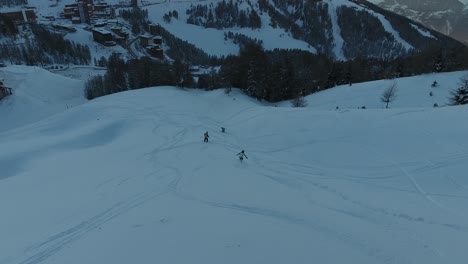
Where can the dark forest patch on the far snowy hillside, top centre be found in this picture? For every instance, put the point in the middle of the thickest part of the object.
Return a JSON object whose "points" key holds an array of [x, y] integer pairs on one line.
{"points": [[225, 14]]}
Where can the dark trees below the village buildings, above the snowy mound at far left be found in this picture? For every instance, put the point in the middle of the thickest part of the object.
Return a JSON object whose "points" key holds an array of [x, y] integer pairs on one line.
{"points": [[45, 48]]}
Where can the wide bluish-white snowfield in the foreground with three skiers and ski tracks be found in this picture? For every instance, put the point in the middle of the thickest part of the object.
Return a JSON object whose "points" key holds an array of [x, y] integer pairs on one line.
{"points": [[127, 178]]}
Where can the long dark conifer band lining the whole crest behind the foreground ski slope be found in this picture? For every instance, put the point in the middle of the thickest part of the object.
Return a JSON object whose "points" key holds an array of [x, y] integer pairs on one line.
{"points": [[282, 74]]}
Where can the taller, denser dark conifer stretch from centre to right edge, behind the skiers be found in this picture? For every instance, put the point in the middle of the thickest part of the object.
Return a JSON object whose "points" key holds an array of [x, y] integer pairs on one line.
{"points": [[284, 74]]}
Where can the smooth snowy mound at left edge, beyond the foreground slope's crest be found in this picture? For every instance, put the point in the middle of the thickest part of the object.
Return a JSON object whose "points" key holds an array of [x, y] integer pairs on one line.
{"points": [[37, 94]]}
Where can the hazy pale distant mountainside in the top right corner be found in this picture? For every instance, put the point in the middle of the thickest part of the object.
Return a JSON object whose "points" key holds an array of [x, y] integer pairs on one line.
{"points": [[449, 16]]}
